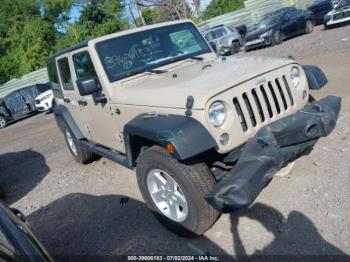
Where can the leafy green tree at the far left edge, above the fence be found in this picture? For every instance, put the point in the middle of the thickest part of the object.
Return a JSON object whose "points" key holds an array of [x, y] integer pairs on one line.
{"points": [[25, 38]]}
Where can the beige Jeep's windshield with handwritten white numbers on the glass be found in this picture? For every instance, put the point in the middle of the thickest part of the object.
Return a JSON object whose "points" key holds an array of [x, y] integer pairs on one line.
{"points": [[134, 53]]}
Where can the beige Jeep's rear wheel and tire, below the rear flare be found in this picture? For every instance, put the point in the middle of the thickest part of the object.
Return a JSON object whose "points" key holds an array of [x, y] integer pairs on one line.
{"points": [[80, 154]]}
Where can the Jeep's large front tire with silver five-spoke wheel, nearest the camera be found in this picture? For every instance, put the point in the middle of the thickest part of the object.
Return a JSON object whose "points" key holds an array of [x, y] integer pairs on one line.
{"points": [[175, 192]]}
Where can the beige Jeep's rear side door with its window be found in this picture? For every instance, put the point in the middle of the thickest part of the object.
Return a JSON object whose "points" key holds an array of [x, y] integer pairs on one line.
{"points": [[70, 95]]}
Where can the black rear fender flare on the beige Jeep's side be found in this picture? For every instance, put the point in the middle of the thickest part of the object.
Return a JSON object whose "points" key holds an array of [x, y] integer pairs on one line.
{"points": [[65, 119]]}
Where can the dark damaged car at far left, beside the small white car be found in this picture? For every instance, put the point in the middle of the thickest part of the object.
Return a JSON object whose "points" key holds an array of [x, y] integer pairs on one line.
{"points": [[19, 104]]}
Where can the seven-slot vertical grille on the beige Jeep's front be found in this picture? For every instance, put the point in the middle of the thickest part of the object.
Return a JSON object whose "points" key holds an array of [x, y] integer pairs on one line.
{"points": [[261, 104]]}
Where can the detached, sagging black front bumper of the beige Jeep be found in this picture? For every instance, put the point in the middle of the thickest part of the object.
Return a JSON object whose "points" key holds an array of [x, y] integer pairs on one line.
{"points": [[273, 147]]}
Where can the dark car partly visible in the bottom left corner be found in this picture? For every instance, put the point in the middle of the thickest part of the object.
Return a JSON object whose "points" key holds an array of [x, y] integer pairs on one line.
{"points": [[17, 241]]}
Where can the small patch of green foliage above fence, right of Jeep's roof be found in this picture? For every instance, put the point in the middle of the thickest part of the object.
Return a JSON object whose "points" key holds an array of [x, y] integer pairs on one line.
{"points": [[220, 7]]}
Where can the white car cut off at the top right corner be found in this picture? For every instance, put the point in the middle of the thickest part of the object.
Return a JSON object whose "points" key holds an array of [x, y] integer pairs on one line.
{"points": [[339, 15]]}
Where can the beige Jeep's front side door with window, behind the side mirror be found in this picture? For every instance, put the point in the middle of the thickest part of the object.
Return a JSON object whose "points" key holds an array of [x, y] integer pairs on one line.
{"points": [[101, 120]]}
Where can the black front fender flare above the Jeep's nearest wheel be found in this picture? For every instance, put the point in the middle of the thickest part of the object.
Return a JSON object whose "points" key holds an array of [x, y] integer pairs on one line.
{"points": [[188, 136]]}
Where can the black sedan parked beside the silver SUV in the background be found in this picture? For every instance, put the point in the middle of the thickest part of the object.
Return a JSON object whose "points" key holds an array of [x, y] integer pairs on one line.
{"points": [[277, 26]]}
